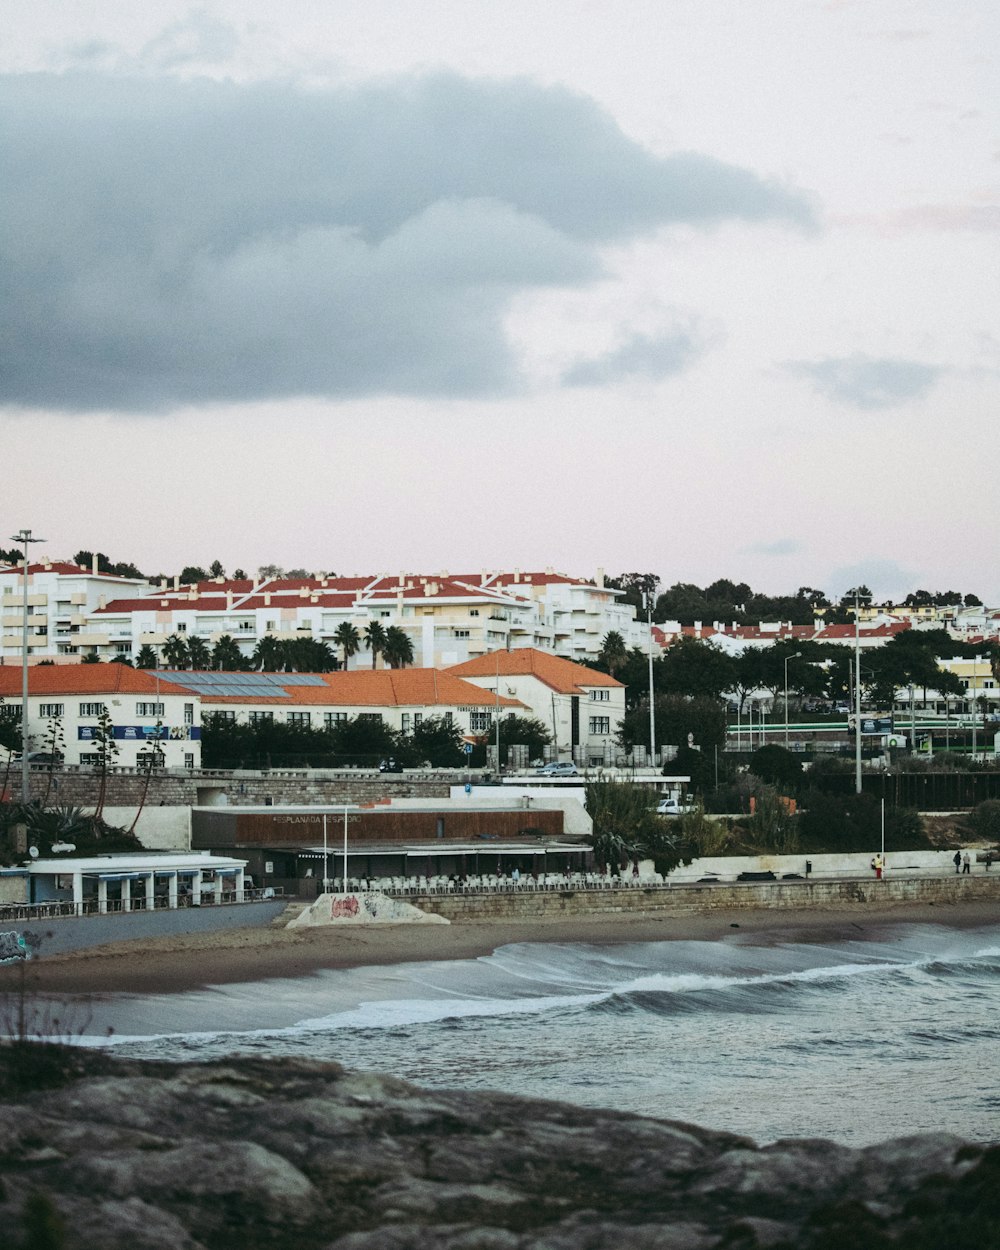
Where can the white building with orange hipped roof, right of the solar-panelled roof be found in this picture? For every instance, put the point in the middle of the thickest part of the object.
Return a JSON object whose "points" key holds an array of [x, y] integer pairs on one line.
{"points": [[582, 708]]}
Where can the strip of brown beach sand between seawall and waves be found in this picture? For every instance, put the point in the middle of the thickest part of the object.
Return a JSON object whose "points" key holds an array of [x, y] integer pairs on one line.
{"points": [[187, 963]]}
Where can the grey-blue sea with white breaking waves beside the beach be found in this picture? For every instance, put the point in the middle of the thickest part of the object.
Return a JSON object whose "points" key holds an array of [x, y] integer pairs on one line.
{"points": [[856, 1042]]}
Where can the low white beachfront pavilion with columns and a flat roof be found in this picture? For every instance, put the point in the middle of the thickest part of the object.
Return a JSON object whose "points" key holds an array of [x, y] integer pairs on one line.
{"points": [[128, 882]]}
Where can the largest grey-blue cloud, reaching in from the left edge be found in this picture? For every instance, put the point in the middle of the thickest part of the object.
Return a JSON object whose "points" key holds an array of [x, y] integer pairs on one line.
{"points": [[171, 242]]}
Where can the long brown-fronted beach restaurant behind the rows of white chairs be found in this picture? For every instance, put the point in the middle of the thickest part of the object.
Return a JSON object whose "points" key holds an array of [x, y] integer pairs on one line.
{"points": [[297, 848]]}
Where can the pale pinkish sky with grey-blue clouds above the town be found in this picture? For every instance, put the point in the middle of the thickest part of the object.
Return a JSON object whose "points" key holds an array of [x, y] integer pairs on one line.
{"points": [[703, 288]]}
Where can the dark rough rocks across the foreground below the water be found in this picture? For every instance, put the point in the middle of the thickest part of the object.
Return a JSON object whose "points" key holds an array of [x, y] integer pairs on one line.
{"points": [[293, 1154]]}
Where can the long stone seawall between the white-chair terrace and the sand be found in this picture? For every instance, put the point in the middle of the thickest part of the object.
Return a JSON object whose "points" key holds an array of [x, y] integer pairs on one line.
{"points": [[677, 899]]}
